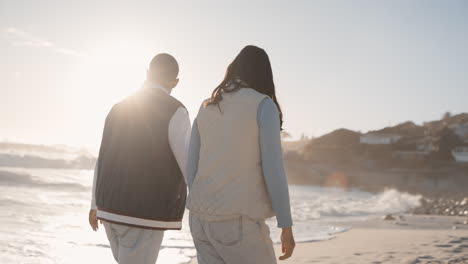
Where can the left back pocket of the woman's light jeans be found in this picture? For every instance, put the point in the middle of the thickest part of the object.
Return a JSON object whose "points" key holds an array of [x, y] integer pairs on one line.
{"points": [[228, 232]]}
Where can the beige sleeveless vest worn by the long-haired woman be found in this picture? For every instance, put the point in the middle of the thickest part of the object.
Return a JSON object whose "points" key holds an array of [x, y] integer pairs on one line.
{"points": [[229, 180]]}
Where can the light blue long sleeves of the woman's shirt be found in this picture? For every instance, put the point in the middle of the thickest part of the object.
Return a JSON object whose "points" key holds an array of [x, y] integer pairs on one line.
{"points": [[271, 155]]}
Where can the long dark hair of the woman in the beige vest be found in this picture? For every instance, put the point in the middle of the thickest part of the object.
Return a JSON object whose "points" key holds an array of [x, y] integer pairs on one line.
{"points": [[252, 66]]}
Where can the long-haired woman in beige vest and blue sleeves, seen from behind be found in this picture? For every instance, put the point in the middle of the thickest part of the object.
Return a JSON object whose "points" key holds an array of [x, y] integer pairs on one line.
{"points": [[235, 169]]}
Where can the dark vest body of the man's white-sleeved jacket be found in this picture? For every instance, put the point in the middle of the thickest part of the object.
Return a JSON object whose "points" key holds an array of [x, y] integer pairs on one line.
{"points": [[138, 175]]}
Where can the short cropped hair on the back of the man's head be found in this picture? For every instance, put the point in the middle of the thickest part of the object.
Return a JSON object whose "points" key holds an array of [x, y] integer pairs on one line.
{"points": [[163, 67]]}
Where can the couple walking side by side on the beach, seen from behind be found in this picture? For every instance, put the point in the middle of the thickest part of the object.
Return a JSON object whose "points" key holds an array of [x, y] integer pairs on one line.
{"points": [[231, 161]]}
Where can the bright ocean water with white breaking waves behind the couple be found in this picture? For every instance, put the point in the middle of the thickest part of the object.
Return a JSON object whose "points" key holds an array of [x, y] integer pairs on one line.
{"points": [[44, 217]]}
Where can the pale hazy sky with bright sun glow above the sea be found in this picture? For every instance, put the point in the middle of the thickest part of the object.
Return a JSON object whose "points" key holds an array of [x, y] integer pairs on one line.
{"points": [[361, 65]]}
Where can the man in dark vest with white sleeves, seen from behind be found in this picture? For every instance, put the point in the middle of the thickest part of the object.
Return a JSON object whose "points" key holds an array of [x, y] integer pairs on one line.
{"points": [[139, 188]]}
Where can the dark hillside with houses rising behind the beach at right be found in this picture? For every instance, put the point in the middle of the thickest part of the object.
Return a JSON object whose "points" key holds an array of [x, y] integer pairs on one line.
{"points": [[413, 163]]}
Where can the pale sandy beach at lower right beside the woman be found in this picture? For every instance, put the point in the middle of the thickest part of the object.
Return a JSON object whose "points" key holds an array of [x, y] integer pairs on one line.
{"points": [[409, 239]]}
